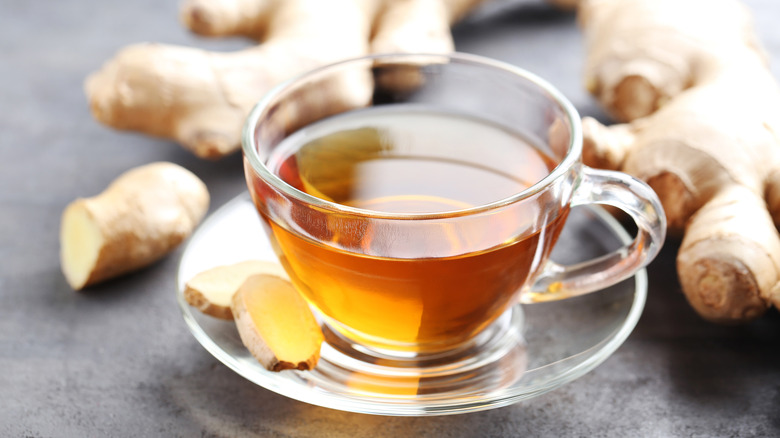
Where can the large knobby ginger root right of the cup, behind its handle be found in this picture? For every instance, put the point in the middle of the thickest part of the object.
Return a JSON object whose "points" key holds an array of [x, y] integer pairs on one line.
{"points": [[704, 133]]}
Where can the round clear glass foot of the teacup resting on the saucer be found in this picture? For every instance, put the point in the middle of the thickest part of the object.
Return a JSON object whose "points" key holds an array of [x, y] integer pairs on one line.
{"points": [[494, 359]]}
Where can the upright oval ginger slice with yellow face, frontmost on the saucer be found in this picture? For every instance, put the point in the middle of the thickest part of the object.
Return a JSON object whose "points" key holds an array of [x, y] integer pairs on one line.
{"points": [[276, 324]]}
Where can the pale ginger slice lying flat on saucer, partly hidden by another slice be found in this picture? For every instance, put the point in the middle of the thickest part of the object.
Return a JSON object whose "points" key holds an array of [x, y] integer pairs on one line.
{"points": [[211, 291]]}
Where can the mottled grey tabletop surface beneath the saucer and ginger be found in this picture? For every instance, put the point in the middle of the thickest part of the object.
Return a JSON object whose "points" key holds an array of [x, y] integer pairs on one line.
{"points": [[119, 361]]}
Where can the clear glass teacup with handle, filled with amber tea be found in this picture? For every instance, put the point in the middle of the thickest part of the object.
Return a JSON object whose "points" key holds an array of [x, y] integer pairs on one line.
{"points": [[414, 199]]}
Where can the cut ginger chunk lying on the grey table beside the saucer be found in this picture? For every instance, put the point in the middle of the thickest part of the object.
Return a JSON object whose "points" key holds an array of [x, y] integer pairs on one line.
{"points": [[142, 216]]}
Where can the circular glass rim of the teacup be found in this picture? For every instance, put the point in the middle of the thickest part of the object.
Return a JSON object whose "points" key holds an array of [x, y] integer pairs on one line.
{"points": [[572, 155]]}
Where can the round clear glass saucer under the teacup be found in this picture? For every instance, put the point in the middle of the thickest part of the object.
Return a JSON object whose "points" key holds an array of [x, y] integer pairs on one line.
{"points": [[531, 350]]}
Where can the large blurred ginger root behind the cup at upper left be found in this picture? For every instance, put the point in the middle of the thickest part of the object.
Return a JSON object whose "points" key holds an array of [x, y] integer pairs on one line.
{"points": [[200, 98]]}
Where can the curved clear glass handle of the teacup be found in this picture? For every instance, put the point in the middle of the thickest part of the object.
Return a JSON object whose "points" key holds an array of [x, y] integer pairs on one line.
{"points": [[628, 194]]}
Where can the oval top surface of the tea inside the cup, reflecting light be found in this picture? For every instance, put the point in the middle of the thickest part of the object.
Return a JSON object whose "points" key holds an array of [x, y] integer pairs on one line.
{"points": [[416, 162]]}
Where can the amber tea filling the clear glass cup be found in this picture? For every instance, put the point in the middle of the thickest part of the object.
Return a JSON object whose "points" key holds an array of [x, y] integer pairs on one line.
{"points": [[439, 288]]}
